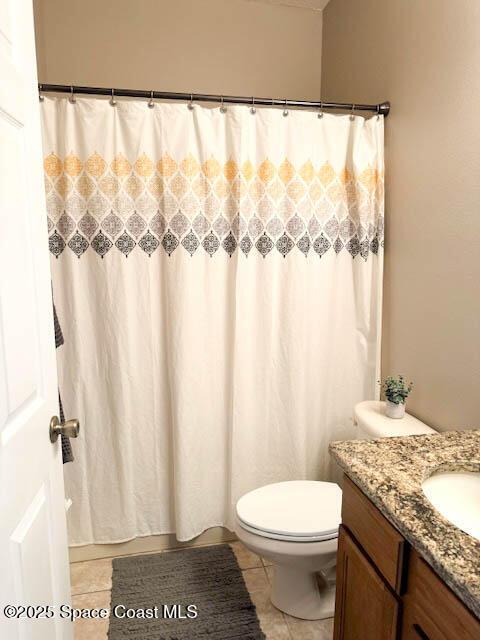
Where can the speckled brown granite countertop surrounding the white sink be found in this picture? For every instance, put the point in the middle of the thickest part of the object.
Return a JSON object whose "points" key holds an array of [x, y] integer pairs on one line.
{"points": [[390, 471]]}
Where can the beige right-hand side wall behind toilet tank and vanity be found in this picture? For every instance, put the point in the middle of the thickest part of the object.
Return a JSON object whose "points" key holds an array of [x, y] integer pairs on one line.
{"points": [[424, 56]]}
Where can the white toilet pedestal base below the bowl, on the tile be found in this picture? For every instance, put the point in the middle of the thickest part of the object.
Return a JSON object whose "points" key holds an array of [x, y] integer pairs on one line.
{"points": [[302, 594]]}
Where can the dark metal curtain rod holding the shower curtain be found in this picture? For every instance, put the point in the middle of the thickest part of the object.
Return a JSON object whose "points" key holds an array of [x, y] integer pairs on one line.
{"points": [[381, 109]]}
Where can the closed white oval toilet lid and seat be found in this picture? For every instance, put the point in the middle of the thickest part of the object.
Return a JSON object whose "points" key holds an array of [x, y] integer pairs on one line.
{"points": [[300, 509]]}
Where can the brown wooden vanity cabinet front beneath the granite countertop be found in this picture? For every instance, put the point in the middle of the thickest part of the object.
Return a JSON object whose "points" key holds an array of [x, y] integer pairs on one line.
{"points": [[385, 591]]}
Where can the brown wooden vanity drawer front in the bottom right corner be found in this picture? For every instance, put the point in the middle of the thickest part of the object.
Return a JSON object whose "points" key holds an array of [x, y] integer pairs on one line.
{"points": [[431, 610]]}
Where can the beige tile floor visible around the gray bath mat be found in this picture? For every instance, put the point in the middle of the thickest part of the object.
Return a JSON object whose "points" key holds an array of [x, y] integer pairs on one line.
{"points": [[92, 582]]}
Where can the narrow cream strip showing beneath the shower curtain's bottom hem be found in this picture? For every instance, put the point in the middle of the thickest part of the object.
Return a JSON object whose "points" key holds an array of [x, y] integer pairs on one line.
{"points": [[148, 544]]}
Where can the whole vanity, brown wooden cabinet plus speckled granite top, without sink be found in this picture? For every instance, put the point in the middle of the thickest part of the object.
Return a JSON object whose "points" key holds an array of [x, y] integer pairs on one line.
{"points": [[403, 571]]}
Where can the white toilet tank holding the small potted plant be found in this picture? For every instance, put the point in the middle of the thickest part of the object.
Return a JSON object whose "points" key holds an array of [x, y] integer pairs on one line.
{"points": [[371, 422]]}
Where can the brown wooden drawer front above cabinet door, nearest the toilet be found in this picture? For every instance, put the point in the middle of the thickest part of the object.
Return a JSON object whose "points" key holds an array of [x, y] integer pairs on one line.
{"points": [[379, 539]]}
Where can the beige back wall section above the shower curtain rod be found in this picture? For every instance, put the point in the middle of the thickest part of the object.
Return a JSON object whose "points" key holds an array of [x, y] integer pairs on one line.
{"points": [[212, 46]]}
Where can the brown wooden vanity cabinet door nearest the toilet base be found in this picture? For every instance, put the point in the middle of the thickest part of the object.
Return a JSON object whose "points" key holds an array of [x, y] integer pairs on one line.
{"points": [[364, 606]]}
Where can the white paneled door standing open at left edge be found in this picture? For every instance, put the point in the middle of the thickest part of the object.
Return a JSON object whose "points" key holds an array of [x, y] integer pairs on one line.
{"points": [[33, 542]]}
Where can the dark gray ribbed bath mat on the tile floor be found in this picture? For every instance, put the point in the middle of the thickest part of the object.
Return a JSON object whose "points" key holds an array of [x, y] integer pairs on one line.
{"points": [[208, 579]]}
